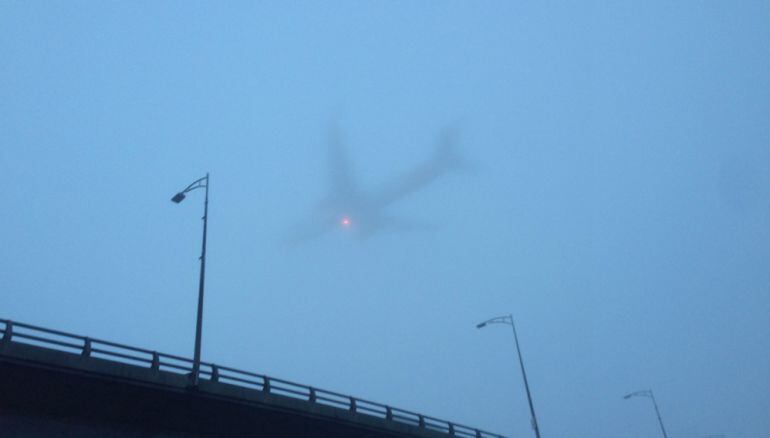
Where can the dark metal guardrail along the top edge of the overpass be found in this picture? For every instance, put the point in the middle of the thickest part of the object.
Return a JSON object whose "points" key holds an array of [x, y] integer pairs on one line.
{"points": [[91, 347]]}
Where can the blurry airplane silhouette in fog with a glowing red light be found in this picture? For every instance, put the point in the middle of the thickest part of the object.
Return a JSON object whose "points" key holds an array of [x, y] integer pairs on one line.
{"points": [[363, 213]]}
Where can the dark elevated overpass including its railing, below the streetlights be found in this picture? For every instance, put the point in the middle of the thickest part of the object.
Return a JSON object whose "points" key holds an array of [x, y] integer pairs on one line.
{"points": [[54, 383]]}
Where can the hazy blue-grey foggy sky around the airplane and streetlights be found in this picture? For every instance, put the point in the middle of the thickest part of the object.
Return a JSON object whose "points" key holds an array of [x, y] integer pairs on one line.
{"points": [[618, 206]]}
